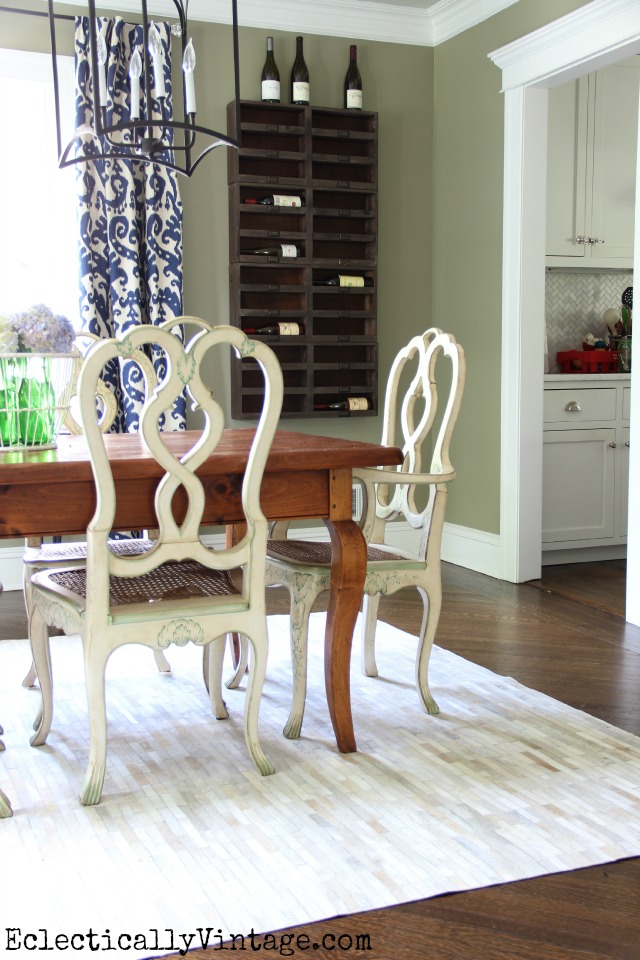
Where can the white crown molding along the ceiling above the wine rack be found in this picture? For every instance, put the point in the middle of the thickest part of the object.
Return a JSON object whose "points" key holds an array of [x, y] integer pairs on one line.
{"points": [[355, 19]]}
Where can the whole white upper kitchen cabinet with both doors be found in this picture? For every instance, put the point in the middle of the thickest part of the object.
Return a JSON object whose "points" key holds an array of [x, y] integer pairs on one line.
{"points": [[591, 176]]}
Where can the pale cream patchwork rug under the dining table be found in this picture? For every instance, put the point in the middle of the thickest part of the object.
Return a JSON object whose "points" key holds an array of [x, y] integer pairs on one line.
{"points": [[504, 784]]}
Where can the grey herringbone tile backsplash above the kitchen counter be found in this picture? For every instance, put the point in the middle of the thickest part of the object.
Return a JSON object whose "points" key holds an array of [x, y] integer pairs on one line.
{"points": [[574, 304]]}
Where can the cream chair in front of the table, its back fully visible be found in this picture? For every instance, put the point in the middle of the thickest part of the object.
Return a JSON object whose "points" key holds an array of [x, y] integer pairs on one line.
{"points": [[179, 590]]}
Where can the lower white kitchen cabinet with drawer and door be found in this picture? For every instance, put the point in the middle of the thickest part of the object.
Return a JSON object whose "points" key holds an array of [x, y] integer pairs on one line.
{"points": [[585, 463]]}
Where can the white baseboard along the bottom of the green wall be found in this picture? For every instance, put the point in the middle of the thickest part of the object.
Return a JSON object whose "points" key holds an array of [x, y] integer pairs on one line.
{"points": [[462, 546]]}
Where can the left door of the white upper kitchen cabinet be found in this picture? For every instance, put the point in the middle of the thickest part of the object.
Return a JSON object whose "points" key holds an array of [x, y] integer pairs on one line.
{"points": [[566, 168]]}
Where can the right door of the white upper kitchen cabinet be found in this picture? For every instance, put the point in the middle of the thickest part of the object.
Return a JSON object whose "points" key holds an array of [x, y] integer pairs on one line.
{"points": [[614, 160]]}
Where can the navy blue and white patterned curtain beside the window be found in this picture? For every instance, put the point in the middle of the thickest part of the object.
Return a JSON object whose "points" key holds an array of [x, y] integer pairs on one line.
{"points": [[130, 224]]}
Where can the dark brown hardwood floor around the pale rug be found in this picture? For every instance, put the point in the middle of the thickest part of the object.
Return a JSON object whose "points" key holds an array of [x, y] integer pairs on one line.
{"points": [[574, 651]]}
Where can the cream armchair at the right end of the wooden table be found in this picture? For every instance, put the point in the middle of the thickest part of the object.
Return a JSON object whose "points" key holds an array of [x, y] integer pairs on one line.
{"points": [[416, 421]]}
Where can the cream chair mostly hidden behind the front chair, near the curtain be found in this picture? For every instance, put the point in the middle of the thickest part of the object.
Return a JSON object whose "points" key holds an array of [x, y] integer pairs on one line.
{"points": [[54, 556]]}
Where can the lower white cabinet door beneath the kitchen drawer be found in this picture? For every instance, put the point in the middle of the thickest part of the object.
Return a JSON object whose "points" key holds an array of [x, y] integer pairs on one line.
{"points": [[578, 486]]}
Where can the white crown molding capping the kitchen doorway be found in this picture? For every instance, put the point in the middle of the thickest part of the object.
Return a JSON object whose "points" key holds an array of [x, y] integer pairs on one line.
{"points": [[566, 43]]}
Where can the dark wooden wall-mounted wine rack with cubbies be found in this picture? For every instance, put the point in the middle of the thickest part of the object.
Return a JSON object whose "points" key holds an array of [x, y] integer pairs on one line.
{"points": [[328, 158]]}
